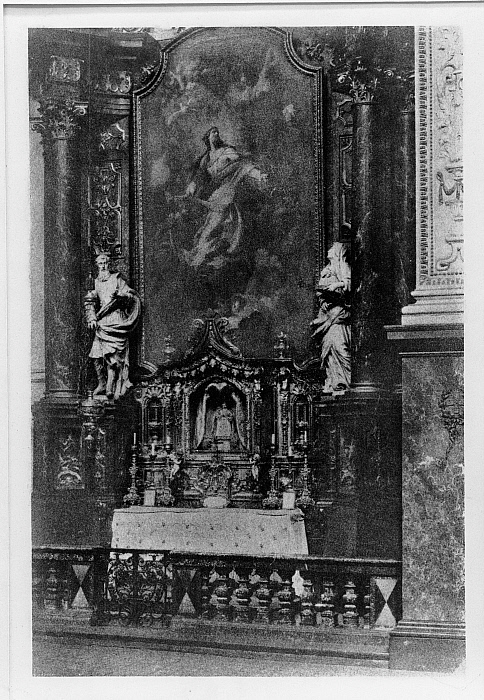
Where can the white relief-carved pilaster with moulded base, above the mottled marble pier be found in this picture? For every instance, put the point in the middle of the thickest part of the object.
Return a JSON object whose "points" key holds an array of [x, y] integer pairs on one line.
{"points": [[439, 116]]}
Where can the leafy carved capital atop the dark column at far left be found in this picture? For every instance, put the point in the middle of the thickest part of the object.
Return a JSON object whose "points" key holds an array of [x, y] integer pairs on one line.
{"points": [[59, 119]]}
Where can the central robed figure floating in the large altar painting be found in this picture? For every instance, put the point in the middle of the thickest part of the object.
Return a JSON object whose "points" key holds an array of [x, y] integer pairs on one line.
{"points": [[214, 183]]}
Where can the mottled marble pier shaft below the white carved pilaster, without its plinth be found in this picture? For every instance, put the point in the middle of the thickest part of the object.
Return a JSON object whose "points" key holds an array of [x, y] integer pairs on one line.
{"points": [[433, 488]]}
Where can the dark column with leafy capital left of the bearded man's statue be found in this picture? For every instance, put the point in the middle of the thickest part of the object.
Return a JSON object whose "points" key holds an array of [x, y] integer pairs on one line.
{"points": [[60, 124]]}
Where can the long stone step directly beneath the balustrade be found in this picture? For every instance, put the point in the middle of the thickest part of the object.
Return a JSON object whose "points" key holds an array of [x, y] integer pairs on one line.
{"points": [[336, 646]]}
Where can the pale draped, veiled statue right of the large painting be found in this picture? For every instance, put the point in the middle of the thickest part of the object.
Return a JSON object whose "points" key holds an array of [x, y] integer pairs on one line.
{"points": [[332, 325]]}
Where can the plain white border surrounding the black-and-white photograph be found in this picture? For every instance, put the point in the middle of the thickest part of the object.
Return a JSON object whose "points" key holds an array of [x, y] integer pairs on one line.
{"points": [[15, 295]]}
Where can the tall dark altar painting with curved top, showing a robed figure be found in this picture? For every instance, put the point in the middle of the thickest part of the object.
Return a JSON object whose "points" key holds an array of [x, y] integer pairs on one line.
{"points": [[228, 200]]}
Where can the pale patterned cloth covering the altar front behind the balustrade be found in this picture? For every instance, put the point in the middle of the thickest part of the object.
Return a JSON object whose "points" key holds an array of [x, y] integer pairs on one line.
{"points": [[211, 530]]}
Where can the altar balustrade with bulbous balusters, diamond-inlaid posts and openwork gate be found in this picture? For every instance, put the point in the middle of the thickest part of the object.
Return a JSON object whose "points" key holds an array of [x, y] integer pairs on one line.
{"points": [[148, 587]]}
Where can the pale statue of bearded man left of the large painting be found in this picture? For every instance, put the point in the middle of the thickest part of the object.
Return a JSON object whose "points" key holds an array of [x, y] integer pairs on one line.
{"points": [[112, 311]]}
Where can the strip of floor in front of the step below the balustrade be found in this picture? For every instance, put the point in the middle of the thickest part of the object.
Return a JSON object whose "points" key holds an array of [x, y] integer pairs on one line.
{"points": [[109, 657]]}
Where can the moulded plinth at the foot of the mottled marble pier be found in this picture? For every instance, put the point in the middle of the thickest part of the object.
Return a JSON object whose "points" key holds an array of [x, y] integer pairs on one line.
{"points": [[427, 646]]}
